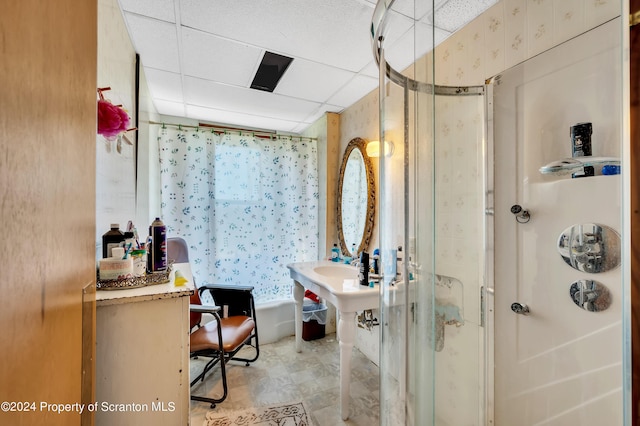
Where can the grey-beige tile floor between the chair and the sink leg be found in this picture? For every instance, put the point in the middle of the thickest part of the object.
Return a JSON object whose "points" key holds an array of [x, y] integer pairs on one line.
{"points": [[282, 375]]}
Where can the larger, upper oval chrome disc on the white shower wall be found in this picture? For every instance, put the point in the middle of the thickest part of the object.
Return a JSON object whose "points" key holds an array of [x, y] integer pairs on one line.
{"points": [[590, 247]]}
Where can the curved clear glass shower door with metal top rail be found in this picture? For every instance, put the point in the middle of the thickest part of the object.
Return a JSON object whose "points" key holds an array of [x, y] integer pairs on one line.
{"points": [[431, 237]]}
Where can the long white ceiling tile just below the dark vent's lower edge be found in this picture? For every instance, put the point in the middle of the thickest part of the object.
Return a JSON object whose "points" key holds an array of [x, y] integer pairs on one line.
{"points": [[256, 102]]}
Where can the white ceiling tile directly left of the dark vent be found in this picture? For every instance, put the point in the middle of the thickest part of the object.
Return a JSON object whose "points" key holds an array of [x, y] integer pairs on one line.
{"points": [[214, 58]]}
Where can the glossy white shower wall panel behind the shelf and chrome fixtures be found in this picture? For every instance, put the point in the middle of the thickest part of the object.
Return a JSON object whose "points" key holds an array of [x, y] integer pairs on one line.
{"points": [[560, 364]]}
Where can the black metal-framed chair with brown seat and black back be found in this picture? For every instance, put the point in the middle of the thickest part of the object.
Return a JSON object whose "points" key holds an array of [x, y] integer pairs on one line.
{"points": [[233, 328]]}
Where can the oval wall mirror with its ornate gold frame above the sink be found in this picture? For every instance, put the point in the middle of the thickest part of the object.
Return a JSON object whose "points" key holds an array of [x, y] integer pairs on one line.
{"points": [[356, 198]]}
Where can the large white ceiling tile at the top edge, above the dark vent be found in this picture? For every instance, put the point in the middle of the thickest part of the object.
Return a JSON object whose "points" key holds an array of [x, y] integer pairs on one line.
{"points": [[329, 32]]}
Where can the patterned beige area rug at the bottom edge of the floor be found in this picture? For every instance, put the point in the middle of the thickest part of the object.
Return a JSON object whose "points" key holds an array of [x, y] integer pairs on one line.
{"points": [[291, 414]]}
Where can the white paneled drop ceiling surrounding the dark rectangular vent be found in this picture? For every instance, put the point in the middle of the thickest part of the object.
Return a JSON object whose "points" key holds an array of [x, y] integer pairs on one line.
{"points": [[200, 56]]}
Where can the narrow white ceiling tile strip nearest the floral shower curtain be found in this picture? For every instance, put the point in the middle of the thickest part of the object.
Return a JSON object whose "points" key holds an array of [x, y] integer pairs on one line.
{"points": [[239, 119]]}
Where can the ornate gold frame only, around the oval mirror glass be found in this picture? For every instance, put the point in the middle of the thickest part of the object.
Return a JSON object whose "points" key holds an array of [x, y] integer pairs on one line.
{"points": [[359, 144]]}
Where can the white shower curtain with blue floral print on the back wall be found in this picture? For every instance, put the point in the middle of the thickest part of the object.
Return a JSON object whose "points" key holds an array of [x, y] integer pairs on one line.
{"points": [[246, 213]]}
